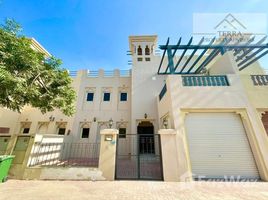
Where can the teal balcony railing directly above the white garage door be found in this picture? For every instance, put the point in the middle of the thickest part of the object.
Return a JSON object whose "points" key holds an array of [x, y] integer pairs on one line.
{"points": [[205, 81]]}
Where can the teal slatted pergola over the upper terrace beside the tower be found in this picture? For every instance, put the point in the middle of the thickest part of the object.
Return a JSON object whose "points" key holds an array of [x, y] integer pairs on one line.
{"points": [[171, 50]]}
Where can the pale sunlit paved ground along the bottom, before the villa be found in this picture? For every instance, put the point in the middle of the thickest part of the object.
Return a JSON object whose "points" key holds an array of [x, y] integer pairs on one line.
{"points": [[46, 190]]}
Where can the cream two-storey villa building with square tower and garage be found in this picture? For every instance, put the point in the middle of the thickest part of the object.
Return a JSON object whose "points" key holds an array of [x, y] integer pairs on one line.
{"points": [[211, 116]]}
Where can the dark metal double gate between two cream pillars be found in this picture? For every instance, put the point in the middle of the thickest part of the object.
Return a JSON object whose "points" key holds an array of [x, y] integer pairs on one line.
{"points": [[138, 156]]}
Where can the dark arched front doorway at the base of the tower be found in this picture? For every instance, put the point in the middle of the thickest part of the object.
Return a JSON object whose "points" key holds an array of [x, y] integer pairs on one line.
{"points": [[145, 131]]}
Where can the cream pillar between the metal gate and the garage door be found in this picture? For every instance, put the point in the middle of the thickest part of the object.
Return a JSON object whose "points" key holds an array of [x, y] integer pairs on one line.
{"points": [[169, 154]]}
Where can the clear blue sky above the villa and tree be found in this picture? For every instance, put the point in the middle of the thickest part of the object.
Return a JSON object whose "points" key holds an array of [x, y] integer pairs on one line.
{"points": [[89, 34]]}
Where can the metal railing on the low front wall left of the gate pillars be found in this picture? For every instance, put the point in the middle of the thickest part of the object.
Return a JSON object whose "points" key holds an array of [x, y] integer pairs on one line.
{"points": [[65, 154]]}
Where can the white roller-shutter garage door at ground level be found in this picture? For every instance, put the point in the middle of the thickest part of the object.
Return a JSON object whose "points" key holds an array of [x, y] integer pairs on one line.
{"points": [[219, 146]]}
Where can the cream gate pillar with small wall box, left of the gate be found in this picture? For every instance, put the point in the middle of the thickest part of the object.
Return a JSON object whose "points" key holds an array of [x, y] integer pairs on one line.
{"points": [[108, 153]]}
